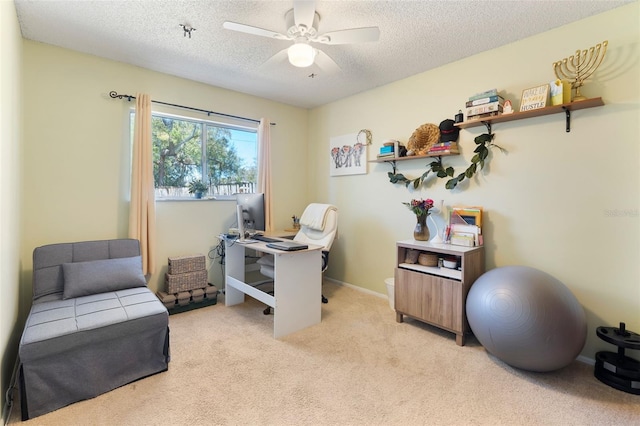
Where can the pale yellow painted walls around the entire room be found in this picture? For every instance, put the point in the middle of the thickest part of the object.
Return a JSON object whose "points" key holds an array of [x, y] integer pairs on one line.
{"points": [[547, 201]]}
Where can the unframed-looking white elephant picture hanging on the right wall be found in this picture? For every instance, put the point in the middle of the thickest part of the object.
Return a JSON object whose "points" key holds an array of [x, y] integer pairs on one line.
{"points": [[348, 155]]}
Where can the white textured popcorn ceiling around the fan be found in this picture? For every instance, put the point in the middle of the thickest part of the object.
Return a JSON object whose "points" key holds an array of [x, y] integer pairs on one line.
{"points": [[415, 36]]}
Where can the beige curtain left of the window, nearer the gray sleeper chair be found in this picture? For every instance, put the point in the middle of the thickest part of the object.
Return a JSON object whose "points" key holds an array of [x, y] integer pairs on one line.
{"points": [[142, 213]]}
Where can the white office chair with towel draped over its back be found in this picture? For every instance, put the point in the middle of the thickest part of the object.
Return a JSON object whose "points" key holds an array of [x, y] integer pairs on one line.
{"points": [[318, 225]]}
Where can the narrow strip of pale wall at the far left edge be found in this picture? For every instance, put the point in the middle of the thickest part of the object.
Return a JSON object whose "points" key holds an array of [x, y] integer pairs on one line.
{"points": [[10, 148]]}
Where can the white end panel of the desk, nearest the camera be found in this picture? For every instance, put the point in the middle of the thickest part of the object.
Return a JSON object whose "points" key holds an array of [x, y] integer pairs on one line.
{"points": [[298, 291]]}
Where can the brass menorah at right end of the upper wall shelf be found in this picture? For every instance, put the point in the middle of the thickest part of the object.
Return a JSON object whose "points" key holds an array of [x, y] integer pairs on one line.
{"points": [[580, 66]]}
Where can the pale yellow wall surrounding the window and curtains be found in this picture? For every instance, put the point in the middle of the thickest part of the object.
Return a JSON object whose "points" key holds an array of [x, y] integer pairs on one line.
{"points": [[77, 152]]}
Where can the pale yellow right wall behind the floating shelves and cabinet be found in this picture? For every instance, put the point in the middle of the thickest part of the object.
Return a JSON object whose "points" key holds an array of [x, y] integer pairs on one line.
{"points": [[550, 203]]}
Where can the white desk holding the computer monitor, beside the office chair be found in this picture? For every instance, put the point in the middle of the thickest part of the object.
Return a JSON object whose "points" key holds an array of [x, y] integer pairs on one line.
{"points": [[297, 286]]}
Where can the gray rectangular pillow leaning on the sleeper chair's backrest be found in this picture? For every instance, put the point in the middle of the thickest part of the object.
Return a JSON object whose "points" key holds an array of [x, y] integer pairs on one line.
{"points": [[101, 276]]}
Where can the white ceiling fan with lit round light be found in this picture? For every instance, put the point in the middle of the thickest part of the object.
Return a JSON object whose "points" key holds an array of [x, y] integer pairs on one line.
{"points": [[302, 28]]}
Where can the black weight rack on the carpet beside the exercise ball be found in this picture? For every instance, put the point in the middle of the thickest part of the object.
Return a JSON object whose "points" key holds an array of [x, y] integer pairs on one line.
{"points": [[616, 369]]}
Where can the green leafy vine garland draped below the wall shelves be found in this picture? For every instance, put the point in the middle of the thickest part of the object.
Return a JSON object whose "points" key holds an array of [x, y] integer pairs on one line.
{"points": [[484, 142]]}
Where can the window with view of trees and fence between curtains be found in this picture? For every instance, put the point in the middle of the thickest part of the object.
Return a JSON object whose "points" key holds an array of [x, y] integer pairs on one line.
{"points": [[185, 150]]}
